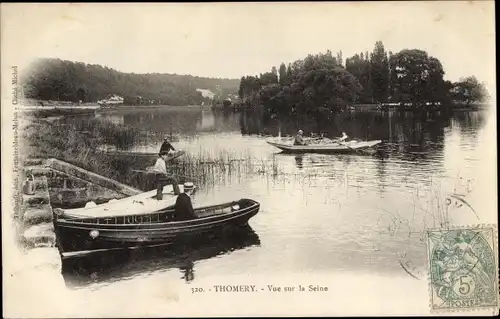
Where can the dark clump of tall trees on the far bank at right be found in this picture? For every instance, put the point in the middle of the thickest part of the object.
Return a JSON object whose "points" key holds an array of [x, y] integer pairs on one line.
{"points": [[324, 82]]}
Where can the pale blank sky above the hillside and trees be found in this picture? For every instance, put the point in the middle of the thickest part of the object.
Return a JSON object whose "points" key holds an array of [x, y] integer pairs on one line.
{"points": [[232, 40]]}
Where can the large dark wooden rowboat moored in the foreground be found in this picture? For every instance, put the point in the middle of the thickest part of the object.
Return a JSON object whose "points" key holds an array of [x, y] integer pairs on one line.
{"points": [[81, 235]]}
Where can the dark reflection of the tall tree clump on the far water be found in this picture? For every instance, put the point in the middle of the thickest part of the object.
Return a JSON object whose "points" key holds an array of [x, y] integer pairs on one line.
{"points": [[421, 129]]}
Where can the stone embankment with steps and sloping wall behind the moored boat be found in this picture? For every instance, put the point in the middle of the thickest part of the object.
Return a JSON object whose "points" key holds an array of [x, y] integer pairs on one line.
{"points": [[50, 183]]}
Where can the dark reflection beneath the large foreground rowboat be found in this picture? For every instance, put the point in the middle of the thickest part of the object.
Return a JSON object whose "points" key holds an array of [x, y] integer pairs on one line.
{"points": [[112, 266]]}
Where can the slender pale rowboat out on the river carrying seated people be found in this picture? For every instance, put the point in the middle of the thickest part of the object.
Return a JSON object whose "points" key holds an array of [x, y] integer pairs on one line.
{"points": [[334, 147]]}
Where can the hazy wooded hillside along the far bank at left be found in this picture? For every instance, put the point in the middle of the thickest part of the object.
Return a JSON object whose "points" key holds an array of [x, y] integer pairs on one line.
{"points": [[59, 80]]}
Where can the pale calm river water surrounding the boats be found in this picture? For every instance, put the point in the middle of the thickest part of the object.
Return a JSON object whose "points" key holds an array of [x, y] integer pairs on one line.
{"points": [[350, 223]]}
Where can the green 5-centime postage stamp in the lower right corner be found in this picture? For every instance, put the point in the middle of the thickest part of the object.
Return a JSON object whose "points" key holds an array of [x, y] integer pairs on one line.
{"points": [[463, 268]]}
